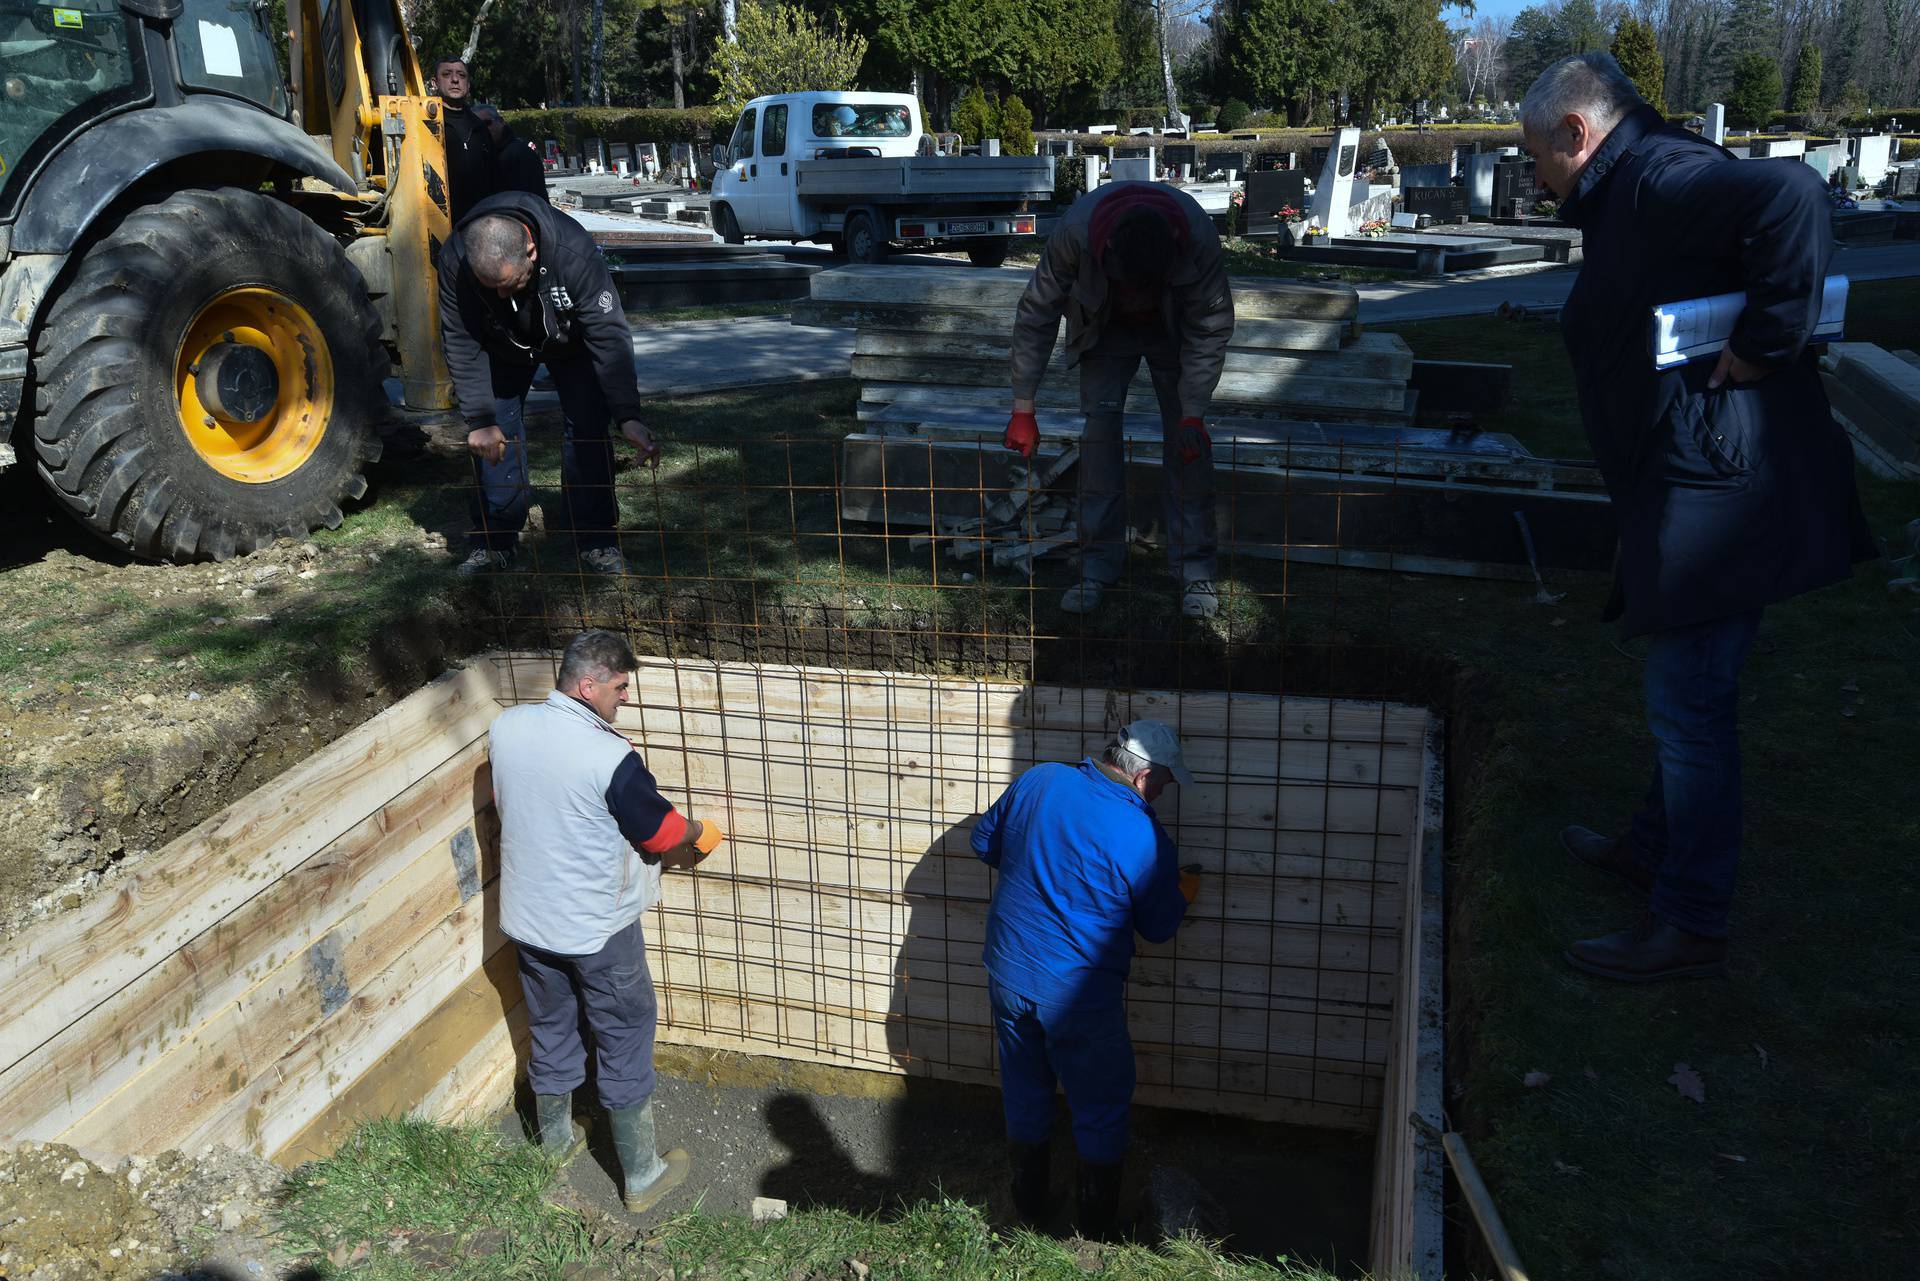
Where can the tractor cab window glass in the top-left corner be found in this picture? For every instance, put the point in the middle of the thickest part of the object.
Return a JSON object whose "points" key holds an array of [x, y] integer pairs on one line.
{"points": [[57, 60]]}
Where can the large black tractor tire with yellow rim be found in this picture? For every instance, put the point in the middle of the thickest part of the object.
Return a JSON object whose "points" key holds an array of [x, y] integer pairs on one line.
{"points": [[210, 379]]}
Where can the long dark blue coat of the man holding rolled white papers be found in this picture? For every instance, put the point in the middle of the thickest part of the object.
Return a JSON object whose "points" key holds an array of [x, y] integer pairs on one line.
{"points": [[1733, 498]]}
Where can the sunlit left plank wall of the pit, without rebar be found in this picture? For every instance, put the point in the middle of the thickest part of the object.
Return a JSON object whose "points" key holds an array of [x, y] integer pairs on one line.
{"points": [[252, 980]]}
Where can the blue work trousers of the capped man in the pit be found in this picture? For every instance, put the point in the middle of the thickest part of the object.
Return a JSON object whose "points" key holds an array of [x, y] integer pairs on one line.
{"points": [[1086, 1050]]}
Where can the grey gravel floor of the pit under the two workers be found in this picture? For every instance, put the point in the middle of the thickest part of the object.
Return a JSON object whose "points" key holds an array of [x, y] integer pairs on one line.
{"points": [[1272, 1190]]}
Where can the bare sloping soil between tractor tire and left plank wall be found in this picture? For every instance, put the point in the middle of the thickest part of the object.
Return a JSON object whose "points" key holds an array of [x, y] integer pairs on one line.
{"points": [[139, 700]]}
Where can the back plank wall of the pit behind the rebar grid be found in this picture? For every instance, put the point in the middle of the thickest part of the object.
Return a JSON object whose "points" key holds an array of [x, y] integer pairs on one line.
{"points": [[844, 921]]}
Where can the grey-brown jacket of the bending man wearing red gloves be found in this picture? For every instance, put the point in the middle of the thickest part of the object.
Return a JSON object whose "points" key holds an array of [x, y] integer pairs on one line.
{"points": [[1197, 310]]}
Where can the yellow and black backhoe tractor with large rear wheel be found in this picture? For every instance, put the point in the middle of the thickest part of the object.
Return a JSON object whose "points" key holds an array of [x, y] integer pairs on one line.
{"points": [[210, 274]]}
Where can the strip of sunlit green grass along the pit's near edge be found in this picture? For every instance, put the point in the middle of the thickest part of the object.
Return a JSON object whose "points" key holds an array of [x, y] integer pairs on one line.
{"points": [[408, 1199]]}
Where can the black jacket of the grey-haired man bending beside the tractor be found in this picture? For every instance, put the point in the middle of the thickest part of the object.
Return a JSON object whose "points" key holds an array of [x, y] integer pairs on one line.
{"points": [[581, 314]]}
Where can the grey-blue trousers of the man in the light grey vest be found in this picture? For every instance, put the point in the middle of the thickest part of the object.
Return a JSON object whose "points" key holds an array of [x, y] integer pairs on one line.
{"points": [[613, 992]]}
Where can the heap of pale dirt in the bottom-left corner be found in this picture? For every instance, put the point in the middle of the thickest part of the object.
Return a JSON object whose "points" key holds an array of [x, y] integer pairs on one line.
{"points": [[68, 1219]]}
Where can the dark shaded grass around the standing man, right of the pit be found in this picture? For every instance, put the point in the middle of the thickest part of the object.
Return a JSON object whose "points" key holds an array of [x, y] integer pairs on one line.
{"points": [[1806, 1051]]}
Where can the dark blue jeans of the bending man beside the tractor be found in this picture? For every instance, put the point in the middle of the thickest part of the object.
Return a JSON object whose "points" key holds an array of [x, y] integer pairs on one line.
{"points": [[504, 493]]}
